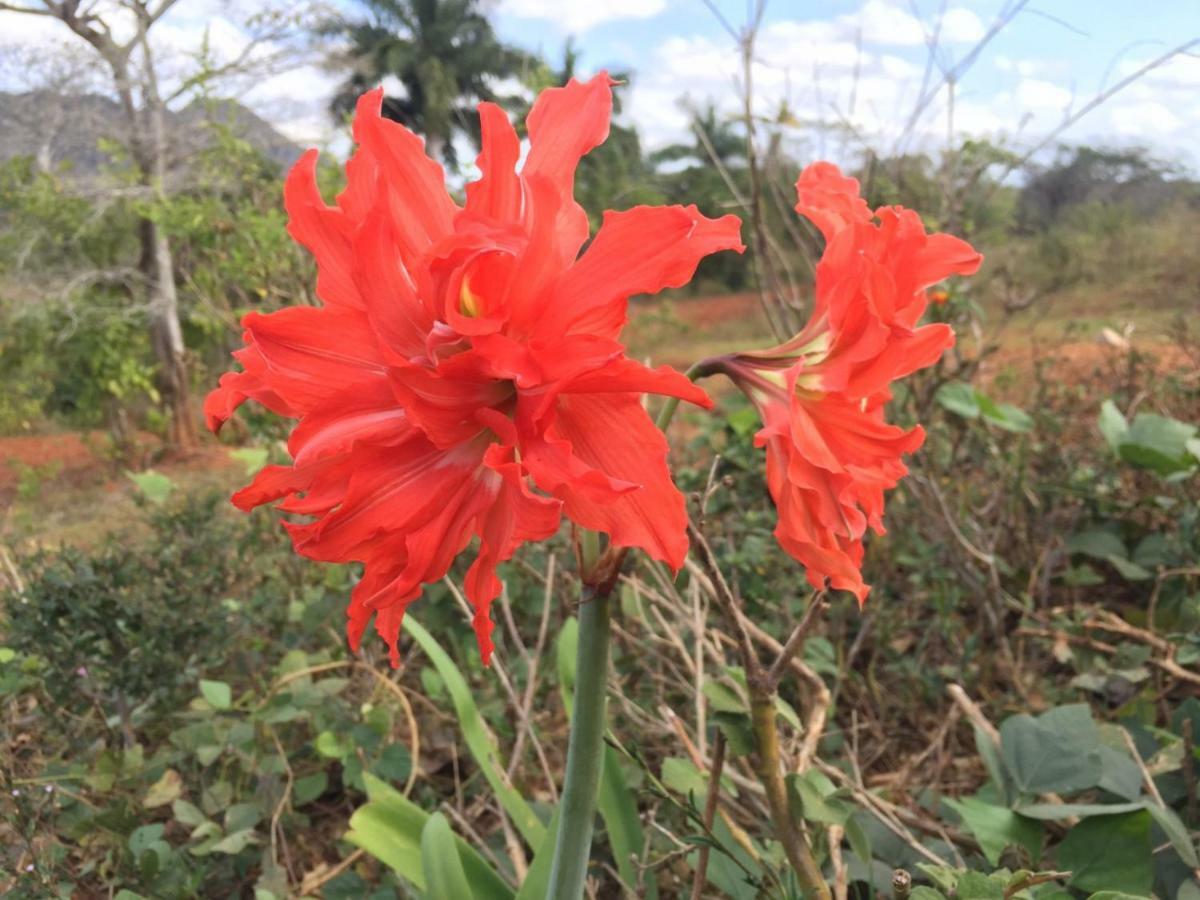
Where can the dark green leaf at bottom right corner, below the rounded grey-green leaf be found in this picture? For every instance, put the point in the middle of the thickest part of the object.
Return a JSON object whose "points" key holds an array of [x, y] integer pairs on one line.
{"points": [[1111, 854]]}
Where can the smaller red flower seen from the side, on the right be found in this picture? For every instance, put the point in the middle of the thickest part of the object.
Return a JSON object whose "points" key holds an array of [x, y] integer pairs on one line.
{"points": [[831, 454]]}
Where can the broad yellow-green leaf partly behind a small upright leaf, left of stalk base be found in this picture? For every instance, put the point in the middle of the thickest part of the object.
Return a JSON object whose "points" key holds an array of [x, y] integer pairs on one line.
{"points": [[389, 827]]}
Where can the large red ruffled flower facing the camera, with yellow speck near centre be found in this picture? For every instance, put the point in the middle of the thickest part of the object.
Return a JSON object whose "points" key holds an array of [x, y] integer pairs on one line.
{"points": [[466, 356]]}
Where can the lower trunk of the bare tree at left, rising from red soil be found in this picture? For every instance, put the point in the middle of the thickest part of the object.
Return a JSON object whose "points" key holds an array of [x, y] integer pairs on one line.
{"points": [[167, 337]]}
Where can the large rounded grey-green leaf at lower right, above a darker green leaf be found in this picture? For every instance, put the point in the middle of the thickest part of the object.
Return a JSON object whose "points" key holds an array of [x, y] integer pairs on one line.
{"points": [[1058, 752]]}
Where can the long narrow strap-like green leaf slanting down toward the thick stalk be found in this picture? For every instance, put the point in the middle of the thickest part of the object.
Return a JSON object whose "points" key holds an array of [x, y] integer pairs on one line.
{"points": [[479, 740]]}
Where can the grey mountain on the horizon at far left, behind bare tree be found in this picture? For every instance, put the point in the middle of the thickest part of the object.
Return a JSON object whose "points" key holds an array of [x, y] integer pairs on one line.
{"points": [[57, 129]]}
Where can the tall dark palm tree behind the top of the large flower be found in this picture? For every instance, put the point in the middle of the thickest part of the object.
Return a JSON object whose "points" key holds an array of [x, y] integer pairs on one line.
{"points": [[445, 53]]}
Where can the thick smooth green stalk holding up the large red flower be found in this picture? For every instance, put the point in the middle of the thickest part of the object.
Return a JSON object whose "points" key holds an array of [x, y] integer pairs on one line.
{"points": [[585, 753]]}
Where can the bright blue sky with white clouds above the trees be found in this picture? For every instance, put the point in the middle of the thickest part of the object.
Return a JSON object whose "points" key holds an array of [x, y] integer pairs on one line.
{"points": [[1051, 61]]}
